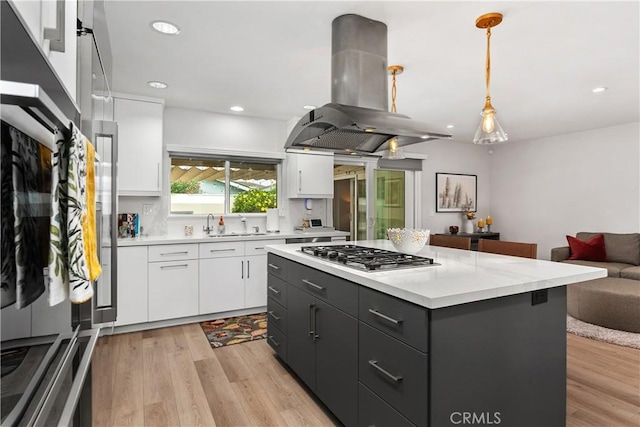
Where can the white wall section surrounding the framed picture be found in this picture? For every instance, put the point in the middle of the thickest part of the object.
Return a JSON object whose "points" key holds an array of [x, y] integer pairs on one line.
{"points": [[452, 157]]}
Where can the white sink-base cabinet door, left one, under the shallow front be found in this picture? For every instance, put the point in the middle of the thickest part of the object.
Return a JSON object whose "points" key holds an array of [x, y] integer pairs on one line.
{"points": [[221, 284]]}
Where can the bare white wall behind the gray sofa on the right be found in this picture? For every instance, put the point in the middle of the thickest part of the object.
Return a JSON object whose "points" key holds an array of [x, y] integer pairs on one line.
{"points": [[544, 189]]}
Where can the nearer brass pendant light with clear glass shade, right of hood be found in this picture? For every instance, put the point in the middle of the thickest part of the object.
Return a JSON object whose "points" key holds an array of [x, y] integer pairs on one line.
{"points": [[489, 131]]}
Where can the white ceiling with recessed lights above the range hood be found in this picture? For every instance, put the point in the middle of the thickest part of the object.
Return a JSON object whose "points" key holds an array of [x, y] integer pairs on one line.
{"points": [[274, 57]]}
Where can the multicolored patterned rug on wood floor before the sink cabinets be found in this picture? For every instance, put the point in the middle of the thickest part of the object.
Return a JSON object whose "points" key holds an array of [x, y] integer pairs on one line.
{"points": [[235, 330]]}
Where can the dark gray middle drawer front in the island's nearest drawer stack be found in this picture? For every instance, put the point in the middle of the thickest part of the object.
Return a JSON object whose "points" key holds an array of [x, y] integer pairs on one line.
{"points": [[395, 372]]}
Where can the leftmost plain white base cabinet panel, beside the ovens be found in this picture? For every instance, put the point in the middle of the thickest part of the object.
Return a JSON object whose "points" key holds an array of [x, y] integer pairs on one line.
{"points": [[132, 285]]}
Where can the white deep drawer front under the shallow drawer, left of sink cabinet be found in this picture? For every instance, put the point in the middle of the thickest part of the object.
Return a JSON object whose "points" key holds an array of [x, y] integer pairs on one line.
{"points": [[173, 289]]}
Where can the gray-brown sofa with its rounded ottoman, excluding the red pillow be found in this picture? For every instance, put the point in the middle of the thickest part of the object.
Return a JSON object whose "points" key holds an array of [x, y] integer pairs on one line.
{"points": [[613, 301]]}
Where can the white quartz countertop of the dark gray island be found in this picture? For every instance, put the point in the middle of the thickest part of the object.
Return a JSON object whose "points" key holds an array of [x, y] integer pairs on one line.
{"points": [[462, 276]]}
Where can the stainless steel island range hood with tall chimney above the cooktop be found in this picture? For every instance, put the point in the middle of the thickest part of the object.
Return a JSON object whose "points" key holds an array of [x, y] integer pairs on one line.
{"points": [[357, 120]]}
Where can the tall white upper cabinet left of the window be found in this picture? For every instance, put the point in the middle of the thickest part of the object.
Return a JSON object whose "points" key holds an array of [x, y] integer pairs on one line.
{"points": [[139, 146]]}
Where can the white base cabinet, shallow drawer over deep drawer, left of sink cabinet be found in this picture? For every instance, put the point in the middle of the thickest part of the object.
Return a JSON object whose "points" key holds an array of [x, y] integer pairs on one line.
{"points": [[173, 281]]}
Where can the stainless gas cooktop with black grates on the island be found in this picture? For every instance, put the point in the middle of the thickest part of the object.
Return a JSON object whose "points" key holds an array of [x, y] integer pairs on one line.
{"points": [[367, 259]]}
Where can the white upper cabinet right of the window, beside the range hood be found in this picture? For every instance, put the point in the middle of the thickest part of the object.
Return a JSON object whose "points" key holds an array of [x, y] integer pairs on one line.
{"points": [[310, 175]]}
